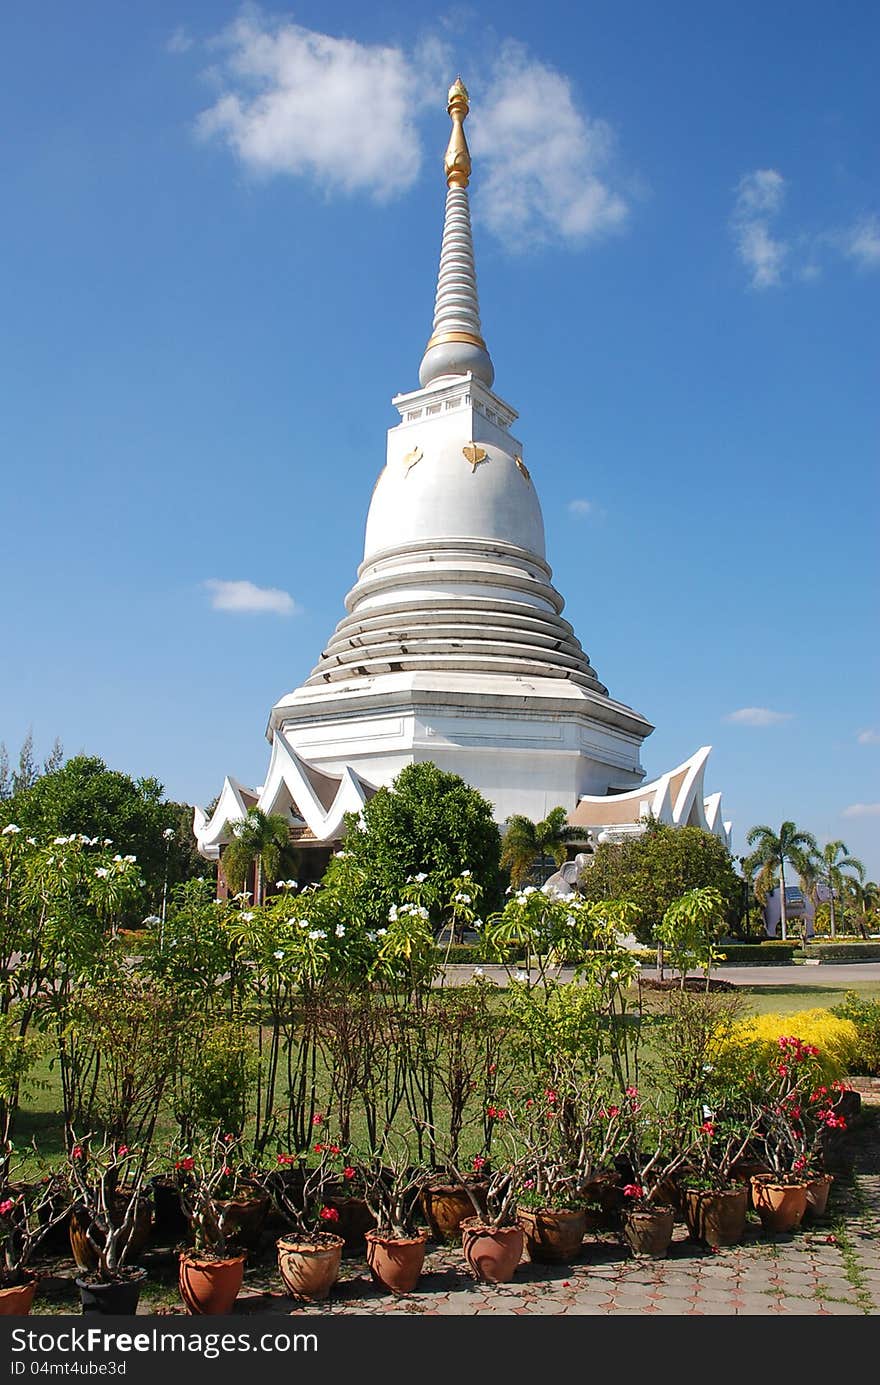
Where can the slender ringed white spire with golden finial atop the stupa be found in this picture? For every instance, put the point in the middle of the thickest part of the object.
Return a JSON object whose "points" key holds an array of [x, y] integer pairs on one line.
{"points": [[457, 346]]}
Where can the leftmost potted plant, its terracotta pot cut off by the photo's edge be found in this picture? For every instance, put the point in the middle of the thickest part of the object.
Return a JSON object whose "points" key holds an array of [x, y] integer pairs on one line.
{"points": [[28, 1213]]}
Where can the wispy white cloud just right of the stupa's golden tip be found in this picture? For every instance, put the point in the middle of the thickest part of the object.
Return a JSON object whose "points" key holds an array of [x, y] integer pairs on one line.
{"points": [[545, 166]]}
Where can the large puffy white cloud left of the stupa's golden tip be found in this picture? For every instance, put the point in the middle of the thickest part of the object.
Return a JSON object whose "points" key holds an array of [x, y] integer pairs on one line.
{"points": [[310, 105]]}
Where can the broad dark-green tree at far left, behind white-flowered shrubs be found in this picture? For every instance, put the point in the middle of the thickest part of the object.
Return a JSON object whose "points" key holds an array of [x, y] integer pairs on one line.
{"points": [[84, 796]]}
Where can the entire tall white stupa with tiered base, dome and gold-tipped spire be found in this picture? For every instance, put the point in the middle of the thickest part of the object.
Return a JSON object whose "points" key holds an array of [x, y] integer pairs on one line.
{"points": [[454, 647]]}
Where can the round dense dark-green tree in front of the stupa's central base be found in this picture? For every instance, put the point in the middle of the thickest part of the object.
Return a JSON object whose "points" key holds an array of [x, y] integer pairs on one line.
{"points": [[429, 825]]}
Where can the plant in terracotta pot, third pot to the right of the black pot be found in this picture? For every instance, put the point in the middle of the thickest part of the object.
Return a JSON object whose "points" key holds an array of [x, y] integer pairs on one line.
{"points": [[397, 1247]]}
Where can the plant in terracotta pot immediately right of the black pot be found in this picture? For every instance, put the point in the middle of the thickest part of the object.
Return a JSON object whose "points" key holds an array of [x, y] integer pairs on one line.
{"points": [[213, 1271]]}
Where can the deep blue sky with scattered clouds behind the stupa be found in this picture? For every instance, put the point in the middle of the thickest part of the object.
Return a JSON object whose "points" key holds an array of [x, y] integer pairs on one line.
{"points": [[217, 267]]}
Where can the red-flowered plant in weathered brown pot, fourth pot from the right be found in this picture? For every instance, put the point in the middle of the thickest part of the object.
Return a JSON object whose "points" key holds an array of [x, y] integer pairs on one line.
{"points": [[655, 1147]]}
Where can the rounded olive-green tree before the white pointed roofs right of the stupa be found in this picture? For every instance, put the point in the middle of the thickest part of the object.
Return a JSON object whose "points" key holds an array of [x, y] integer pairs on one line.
{"points": [[658, 869]]}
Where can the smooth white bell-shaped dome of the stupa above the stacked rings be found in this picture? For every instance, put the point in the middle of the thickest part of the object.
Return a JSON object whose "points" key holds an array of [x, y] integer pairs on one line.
{"points": [[444, 497]]}
